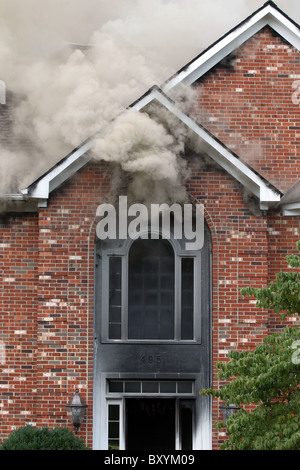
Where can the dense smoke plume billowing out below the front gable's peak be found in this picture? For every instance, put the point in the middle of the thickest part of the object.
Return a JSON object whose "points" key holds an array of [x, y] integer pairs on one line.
{"points": [[146, 150]]}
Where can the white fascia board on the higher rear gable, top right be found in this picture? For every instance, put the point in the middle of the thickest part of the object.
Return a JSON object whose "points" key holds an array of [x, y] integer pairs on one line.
{"points": [[267, 16]]}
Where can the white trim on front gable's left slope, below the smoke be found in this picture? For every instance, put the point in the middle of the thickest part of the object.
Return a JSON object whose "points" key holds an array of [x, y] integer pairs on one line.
{"points": [[58, 174]]}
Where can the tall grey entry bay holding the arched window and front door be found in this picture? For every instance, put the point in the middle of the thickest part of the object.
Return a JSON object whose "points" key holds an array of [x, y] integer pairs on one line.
{"points": [[160, 364]]}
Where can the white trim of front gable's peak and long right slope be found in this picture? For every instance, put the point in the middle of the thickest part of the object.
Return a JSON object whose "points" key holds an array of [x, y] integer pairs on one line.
{"points": [[218, 152]]}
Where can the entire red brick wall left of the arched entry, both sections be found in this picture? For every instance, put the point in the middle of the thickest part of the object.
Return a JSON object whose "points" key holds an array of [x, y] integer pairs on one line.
{"points": [[46, 300]]}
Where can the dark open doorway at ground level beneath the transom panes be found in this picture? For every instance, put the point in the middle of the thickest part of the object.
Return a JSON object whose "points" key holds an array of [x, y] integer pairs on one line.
{"points": [[150, 424]]}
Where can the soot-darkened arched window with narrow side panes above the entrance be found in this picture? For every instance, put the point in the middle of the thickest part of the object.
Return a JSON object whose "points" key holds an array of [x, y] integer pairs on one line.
{"points": [[150, 291]]}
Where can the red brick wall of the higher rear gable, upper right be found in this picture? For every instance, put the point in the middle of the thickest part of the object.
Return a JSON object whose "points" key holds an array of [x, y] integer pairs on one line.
{"points": [[247, 102]]}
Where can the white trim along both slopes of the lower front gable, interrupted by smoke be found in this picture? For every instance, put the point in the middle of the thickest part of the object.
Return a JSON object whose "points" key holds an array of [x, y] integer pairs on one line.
{"points": [[267, 194]]}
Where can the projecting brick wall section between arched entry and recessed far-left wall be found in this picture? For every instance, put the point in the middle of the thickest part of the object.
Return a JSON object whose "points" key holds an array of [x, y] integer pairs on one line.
{"points": [[66, 293]]}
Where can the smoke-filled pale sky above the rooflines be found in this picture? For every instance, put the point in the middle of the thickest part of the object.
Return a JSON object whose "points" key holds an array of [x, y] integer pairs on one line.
{"points": [[65, 95]]}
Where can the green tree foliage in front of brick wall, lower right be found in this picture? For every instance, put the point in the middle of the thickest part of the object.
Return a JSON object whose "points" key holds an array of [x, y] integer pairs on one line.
{"points": [[267, 377]]}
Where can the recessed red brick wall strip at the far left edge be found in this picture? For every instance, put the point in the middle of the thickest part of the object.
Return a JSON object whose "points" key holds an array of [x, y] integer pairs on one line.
{"points": [[18, 310]]}
